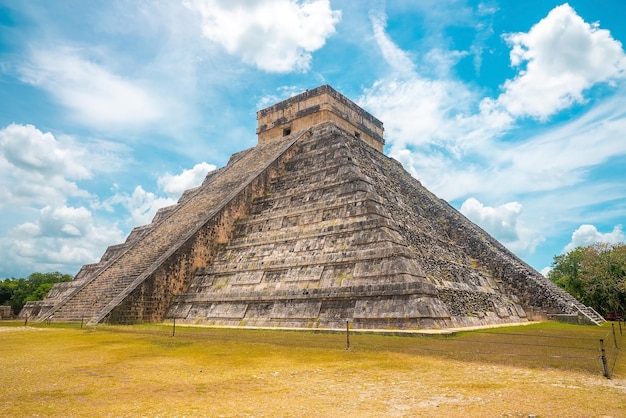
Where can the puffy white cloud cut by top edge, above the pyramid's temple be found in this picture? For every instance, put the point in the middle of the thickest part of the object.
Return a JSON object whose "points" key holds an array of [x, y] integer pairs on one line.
{"points": [[273, 35]]}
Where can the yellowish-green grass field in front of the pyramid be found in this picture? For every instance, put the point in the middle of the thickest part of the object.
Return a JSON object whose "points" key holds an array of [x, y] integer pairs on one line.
{"points": [[542, 370]]}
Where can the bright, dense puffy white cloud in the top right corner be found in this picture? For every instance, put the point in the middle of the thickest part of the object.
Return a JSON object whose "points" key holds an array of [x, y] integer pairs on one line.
{"points": [[563, 57]]}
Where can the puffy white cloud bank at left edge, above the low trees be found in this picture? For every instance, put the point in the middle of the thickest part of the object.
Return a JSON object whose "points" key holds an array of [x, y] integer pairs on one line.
{"points": [[40, 174]]}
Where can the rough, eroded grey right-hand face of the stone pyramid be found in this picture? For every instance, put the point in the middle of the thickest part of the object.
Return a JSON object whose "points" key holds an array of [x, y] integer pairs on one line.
{"points": [[459, 254]]}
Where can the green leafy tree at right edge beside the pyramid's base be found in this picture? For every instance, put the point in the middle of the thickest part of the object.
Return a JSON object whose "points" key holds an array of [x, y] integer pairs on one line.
{"points": [[595, 275]]}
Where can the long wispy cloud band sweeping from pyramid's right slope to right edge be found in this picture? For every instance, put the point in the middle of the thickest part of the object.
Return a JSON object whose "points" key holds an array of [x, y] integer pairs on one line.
{"points": [[553, 160]]}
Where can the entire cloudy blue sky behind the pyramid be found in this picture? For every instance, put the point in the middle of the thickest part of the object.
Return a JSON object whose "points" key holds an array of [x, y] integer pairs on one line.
{"points": [[514, 112]]}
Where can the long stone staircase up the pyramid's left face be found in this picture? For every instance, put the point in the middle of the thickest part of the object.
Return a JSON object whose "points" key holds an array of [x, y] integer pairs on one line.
{"points": [[107, 284]]}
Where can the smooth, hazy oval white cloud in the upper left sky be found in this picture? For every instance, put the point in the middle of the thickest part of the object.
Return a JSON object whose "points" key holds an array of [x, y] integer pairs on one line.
{"points": [[92, 94]]}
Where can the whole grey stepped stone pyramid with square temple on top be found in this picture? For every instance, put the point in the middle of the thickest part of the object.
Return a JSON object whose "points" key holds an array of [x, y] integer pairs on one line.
{"points": [[313, 227]]}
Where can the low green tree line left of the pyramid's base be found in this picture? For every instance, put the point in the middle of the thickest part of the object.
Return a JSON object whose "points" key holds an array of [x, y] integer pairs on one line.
{"points": [[16, 292]]}
